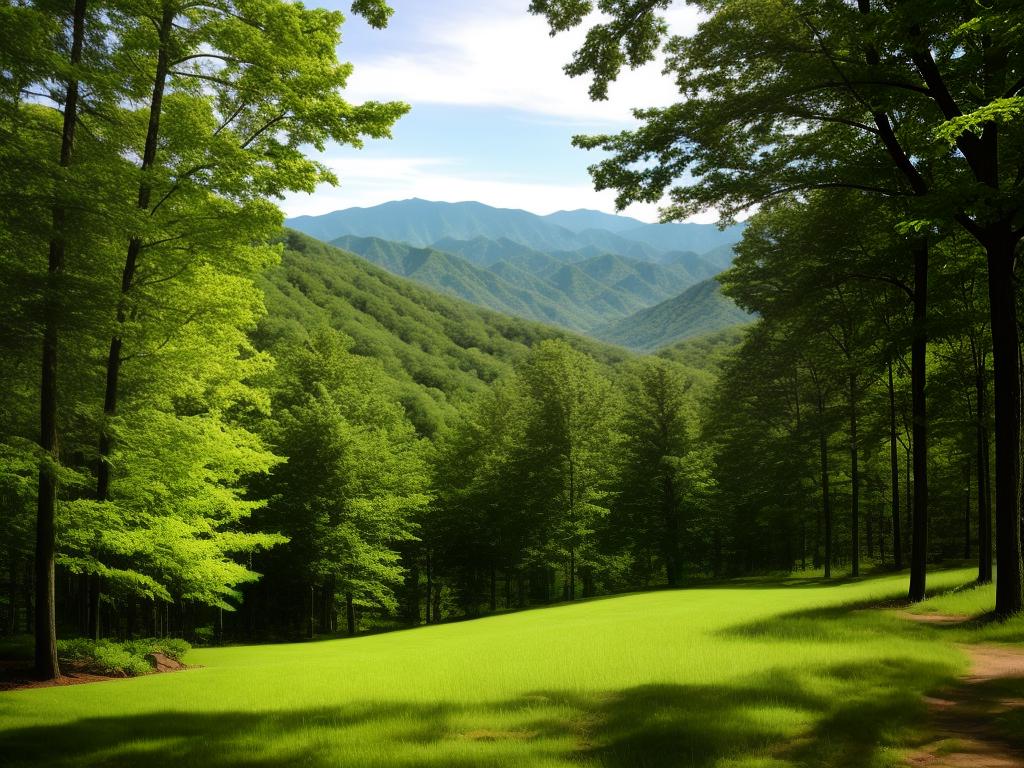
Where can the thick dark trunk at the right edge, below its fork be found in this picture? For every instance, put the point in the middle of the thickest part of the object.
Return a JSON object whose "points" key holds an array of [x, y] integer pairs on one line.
{"points": [[1006, 368]]}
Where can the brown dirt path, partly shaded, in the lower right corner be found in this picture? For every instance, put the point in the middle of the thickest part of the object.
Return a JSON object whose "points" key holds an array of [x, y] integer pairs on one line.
{"points": [[963, 715]]}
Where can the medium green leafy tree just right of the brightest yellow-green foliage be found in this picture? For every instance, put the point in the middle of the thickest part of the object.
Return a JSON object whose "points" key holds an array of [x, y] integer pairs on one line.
{"points": [[356, 477]]}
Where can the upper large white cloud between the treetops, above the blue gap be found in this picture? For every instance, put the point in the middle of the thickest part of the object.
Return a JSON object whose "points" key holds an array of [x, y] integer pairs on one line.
{"points": [[507, 59]]}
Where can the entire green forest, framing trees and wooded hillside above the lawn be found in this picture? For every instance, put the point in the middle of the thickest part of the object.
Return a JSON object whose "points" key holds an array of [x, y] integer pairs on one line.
{"points": [[217, 429]]}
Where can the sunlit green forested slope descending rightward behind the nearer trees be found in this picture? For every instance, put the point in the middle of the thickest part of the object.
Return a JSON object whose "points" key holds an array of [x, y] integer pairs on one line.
{"points": [[436, 349]]}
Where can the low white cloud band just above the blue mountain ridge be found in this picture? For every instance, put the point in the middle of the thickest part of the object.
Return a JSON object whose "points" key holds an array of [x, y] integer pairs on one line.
{"points": [[370, 182]]}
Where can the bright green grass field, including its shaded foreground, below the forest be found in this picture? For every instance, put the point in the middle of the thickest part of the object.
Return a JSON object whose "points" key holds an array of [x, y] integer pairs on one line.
{"points": [[760, 674]]}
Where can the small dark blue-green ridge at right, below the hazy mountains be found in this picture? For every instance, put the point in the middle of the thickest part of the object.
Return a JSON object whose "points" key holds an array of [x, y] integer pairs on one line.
{"points": [[700, 310]]}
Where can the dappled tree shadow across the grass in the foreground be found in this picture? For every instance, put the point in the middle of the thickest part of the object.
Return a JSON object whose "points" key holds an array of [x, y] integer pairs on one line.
{"points": [[833, 716]]}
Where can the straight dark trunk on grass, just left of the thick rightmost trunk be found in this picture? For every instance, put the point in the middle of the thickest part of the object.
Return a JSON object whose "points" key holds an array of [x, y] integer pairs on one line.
{"points": [[919, 352]]}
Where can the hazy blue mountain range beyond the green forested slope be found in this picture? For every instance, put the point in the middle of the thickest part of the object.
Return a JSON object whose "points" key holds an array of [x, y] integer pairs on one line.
{"points": [[613, 278]]}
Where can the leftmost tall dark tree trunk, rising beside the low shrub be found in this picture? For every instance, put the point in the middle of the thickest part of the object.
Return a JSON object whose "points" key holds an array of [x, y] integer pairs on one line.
{"points": [[48, 667]]}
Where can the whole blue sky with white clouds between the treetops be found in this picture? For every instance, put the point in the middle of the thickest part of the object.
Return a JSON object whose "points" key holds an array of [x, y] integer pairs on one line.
{"points": [[493, 114]]}
